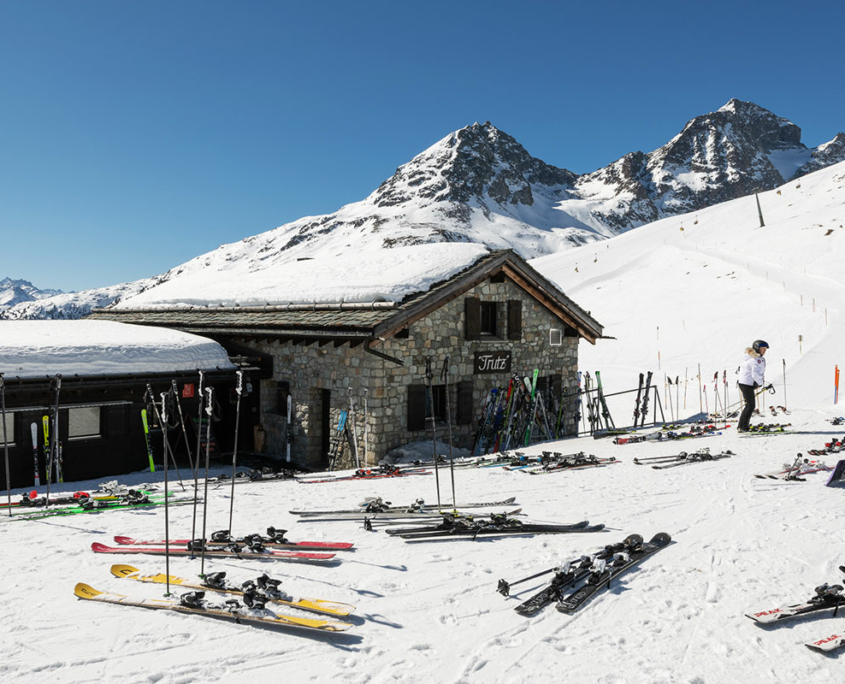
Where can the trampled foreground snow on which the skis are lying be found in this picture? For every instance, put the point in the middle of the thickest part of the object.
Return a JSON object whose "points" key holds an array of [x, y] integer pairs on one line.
{"points": [[429, 611]]}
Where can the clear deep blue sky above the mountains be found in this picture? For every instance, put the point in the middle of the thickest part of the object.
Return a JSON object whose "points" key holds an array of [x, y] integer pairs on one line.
{"points": [[137, 135]]}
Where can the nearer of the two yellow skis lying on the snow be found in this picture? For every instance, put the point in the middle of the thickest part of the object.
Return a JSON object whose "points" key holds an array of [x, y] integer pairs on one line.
{"points": [[238, 613]]}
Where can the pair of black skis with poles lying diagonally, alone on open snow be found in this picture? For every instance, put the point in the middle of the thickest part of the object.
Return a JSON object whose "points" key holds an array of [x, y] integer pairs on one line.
{"points": [[587, 576]]}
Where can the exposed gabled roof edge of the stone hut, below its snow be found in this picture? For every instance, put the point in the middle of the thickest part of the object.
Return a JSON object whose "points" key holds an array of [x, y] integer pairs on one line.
{"points": [[358, 322]]}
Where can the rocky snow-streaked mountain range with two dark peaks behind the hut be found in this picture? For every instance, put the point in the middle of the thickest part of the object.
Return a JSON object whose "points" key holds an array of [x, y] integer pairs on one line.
{"points": [[480, 185]]}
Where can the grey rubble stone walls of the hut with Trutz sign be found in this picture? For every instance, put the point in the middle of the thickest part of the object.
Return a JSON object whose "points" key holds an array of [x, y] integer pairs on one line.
{"points": [[310, 369]]}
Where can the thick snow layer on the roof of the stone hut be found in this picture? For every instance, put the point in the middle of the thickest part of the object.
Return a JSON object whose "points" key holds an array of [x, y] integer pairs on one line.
{"points": [[368, 275]]}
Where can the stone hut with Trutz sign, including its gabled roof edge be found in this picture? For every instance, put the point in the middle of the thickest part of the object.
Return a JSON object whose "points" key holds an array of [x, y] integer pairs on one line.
{"points": [[497, 317]]}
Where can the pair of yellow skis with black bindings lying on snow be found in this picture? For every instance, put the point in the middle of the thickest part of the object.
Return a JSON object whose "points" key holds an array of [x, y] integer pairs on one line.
{"points": [[249, 607]]}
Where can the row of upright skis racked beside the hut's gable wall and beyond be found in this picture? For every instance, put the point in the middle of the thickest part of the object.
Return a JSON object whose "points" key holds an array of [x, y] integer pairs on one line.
{"points": [[522, 413]]}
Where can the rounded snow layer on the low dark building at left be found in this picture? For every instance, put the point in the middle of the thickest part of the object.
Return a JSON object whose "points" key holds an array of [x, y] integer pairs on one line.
{"points": [[30, 349]]}
